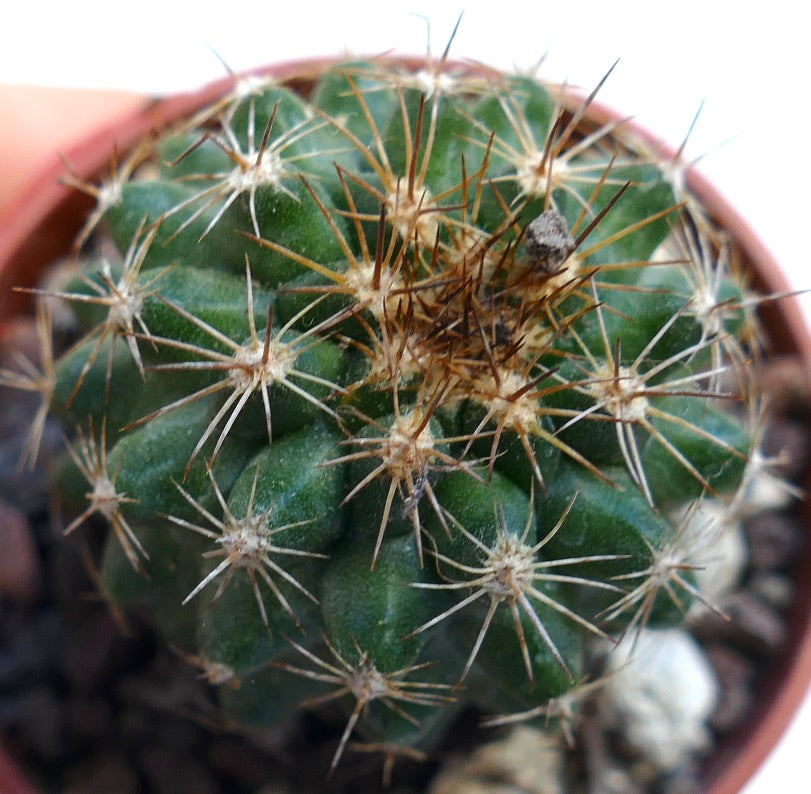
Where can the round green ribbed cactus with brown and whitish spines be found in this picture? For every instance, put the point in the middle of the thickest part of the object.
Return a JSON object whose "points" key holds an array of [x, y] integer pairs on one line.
{"points": [[392, 392]]}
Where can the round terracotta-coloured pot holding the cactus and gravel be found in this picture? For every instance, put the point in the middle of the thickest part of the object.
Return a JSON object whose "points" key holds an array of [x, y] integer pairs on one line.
{"points": [[42, 224]]}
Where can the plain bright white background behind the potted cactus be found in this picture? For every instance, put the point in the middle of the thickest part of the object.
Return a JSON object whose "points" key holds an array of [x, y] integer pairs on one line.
{"points": [[750, 64]]}
